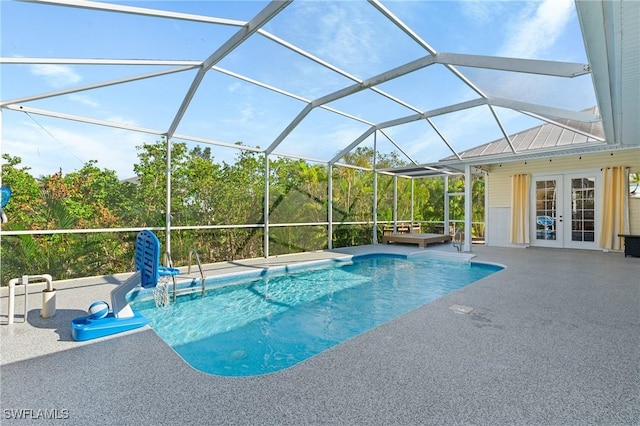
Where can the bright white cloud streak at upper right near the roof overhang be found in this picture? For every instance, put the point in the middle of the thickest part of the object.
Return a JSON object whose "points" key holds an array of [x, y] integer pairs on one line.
{"points": [[537, 29]]}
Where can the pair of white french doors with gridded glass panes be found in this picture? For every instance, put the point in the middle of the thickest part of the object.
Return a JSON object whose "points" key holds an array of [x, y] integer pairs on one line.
{"points": [[565, 210]]}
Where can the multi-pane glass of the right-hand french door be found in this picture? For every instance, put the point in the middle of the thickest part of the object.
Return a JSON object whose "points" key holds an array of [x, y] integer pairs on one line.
{"points": [[582, 209]]}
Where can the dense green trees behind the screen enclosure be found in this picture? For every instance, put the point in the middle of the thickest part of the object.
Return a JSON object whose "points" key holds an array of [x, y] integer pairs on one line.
{"points": [[204, 192]]}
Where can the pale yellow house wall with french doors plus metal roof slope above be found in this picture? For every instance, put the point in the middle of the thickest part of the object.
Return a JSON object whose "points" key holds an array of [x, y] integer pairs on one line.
{"points": [[565, 191]]}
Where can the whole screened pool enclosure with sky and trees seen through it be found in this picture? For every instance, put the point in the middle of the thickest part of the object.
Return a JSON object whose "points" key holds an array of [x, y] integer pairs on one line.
{"points": [[251, 128]]}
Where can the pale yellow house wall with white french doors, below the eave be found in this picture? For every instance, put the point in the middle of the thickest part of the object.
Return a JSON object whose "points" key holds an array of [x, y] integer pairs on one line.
{"points": [[569, 189]]}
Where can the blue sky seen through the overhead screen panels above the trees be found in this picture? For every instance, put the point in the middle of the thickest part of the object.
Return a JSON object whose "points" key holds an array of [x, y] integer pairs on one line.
{"points": [[351, 35]]}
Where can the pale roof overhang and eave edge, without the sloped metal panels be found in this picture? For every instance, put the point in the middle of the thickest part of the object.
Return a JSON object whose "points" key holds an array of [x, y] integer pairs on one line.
{"points": [[611, 32]]}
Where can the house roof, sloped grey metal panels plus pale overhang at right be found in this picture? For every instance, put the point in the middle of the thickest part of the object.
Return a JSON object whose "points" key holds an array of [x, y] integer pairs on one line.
{"points": [[611, 32]]}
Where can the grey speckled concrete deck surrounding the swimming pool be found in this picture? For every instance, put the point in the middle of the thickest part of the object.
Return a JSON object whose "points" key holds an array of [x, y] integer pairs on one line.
{"points": [[554, 339]]}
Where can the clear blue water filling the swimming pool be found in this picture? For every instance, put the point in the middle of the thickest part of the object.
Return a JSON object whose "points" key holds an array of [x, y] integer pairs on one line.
{"points": [[261, 325]]}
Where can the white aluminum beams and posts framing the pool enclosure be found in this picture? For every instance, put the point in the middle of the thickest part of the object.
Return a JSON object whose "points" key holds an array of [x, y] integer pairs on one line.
{"points": [[600, 22]]}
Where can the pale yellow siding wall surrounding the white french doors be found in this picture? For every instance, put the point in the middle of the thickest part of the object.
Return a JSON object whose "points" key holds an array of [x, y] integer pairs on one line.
{"points": [[499, 181]]}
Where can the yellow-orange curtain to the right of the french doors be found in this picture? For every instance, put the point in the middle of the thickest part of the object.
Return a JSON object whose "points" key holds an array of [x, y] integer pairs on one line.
{"points": [[615, 207]]}
